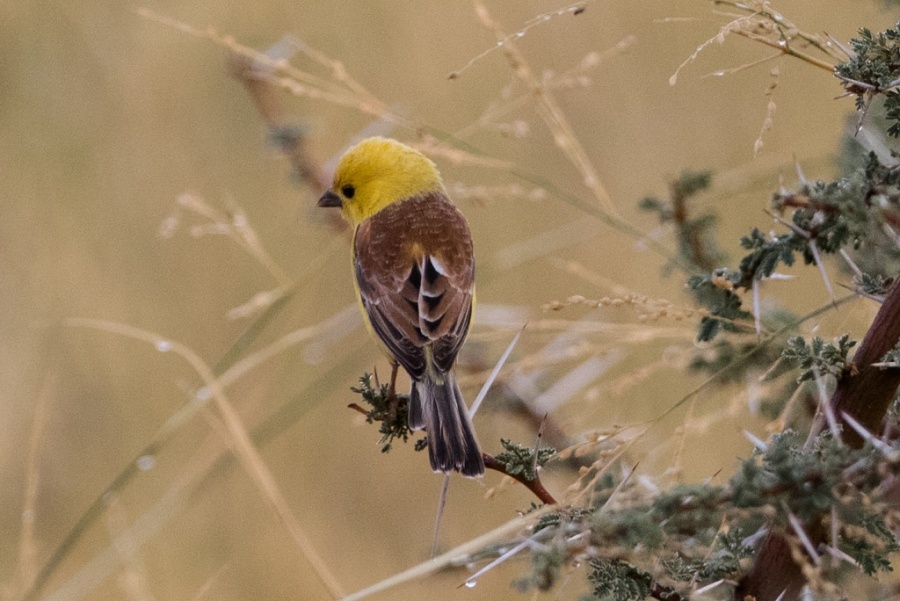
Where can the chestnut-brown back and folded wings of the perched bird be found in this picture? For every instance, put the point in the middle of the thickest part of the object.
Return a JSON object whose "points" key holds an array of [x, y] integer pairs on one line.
{"points": [[416, 275]]}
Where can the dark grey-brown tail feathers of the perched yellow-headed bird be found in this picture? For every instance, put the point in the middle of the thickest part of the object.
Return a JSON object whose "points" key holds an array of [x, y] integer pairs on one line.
{"points": [[441, 410]]}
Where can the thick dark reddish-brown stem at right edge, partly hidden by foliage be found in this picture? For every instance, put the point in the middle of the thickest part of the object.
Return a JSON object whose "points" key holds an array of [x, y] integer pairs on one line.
{"points": [[864, 394]]}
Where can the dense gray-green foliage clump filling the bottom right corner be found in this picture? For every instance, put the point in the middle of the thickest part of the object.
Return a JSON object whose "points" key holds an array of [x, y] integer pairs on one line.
{"points": [[695, 534]]}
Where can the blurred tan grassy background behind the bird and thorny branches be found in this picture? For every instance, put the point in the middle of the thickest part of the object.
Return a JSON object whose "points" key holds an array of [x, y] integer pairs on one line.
{"points": [[108, 117]]}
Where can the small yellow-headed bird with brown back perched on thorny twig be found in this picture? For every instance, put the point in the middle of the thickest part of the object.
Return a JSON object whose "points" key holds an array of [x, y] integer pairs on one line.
{"points": [[414, 269]]}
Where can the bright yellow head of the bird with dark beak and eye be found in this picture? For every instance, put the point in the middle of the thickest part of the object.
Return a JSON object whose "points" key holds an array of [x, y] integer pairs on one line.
{"points": [[376, 173]]}
